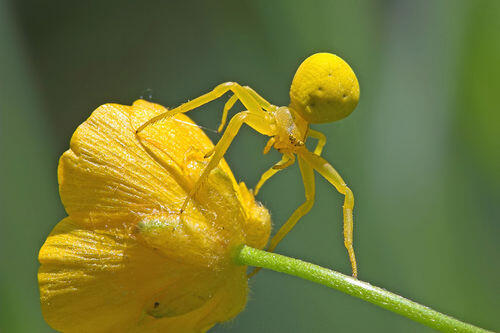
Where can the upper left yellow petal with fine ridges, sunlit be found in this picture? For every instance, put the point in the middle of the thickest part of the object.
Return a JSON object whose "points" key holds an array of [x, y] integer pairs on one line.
{"points": [[107, 176]]}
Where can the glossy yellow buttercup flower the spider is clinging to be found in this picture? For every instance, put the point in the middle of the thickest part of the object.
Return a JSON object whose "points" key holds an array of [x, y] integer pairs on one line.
{"points": [[125, 260]]}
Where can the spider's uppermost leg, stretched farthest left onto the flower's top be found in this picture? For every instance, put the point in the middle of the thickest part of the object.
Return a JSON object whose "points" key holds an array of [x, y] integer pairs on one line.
{"points": [[242, 94]]}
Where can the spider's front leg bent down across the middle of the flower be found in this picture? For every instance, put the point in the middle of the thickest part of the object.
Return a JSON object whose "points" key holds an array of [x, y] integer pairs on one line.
{"points": [[255, 121]]}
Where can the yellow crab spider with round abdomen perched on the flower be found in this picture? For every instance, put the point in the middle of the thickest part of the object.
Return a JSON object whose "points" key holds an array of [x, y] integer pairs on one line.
{"points": [[324, 89]]}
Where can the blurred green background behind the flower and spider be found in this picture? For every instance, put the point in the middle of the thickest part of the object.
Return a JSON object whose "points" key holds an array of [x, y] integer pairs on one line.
{"points": [[421, 152]]}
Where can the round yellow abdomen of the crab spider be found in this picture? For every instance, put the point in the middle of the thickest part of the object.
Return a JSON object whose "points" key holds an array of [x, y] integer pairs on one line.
{"points": [[324, 89]]}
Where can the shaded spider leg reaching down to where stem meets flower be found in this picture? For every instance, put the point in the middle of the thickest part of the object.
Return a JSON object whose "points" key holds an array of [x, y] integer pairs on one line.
{"points": [[307, 173]]}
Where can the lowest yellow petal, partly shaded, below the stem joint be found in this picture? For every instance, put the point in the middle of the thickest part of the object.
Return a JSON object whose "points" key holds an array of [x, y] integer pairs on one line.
{"points": [[95, 280]]}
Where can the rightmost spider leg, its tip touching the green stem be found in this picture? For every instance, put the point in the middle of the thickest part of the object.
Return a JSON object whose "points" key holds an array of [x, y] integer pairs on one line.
{"points": [[326, 170]]}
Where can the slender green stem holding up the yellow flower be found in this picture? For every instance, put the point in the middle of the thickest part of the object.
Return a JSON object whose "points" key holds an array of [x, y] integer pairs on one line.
{"points": [[246, 255]]}
